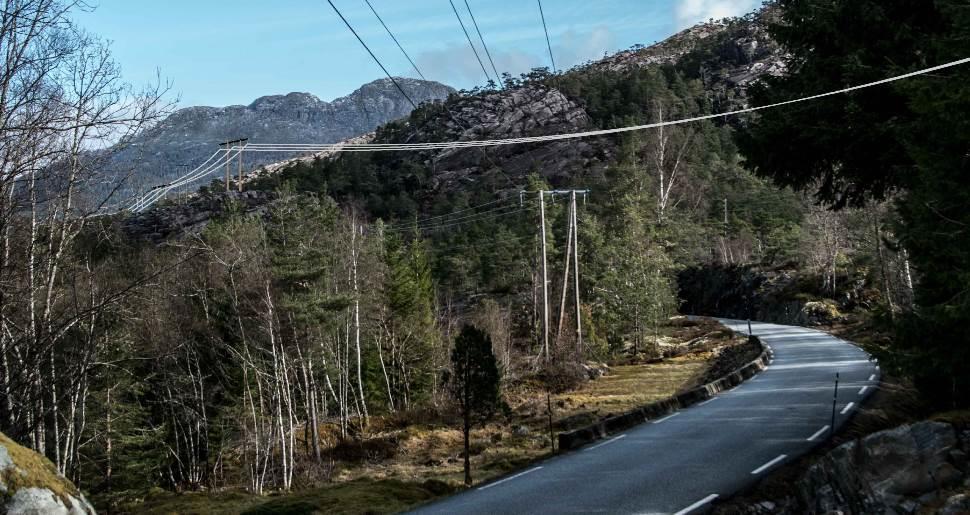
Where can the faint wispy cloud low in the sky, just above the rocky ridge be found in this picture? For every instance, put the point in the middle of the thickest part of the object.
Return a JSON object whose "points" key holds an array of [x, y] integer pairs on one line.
{"points": [[455, 64]]}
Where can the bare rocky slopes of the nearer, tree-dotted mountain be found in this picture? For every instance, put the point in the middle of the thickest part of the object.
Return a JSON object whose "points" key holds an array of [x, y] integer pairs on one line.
{"points": [[714, 63]]}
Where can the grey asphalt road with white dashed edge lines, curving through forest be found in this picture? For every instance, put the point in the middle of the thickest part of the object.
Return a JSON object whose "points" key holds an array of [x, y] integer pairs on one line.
{"points": [[682, 463]]}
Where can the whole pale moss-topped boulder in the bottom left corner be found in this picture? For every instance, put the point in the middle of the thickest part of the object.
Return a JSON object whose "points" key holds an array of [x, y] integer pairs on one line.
{"points": [[30, 485]]}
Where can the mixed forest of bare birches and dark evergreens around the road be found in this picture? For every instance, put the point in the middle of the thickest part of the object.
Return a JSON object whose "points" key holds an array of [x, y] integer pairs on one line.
{"points": [[251, 355]]}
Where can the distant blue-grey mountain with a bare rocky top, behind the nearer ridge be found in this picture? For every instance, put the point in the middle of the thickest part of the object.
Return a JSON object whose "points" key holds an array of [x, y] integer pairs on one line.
{"points": [[190, 135]]}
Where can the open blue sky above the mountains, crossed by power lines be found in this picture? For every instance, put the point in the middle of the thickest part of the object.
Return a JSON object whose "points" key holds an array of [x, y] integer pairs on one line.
{"points": [[221, 52]]}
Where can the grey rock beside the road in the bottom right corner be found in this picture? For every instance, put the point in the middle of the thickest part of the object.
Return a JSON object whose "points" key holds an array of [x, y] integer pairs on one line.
{"points": [[889, 471]]}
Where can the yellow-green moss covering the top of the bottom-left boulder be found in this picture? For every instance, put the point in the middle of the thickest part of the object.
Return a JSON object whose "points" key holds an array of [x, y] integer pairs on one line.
{"points": [[31, 470]]}
